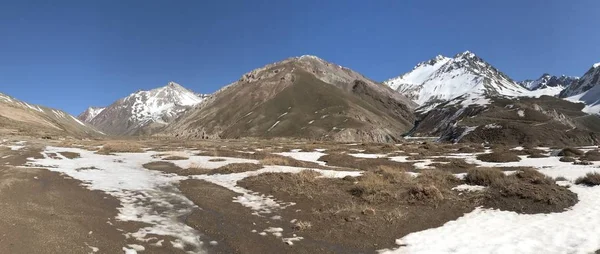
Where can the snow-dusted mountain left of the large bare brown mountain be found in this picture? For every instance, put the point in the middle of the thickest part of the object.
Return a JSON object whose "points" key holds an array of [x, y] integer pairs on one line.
{"points": [[145, 112]]}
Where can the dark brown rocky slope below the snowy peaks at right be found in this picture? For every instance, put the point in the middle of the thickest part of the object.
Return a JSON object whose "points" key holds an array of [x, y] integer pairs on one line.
{"points": [[544, 121]]}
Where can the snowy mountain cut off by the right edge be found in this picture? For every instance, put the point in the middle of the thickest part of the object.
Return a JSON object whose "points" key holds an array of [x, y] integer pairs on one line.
{"points": [[586, 90]]}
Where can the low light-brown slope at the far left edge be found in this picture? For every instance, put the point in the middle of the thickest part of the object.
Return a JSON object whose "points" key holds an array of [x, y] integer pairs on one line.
{"points": [[21, 117]]}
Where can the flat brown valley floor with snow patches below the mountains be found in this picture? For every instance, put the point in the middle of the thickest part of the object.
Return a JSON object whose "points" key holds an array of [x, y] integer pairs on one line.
{"points": [[173, 196]]}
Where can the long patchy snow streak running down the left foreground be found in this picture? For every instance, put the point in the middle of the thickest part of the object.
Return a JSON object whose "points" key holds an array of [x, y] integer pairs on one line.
{"points": [[139, 190]]}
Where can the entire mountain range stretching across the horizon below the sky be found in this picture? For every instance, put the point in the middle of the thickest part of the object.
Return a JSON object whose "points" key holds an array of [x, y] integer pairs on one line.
{"points": [[459, 98]]}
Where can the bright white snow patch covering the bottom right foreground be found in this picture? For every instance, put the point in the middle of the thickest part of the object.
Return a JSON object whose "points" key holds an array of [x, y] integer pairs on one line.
{"points": [[494, 231]]}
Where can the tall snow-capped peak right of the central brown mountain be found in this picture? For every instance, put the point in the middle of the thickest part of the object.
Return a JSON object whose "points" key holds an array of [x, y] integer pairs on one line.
{"points": [[442, 78]]}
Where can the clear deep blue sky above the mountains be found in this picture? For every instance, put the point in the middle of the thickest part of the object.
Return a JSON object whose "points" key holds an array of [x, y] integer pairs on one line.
{"points": [[71, 54]]}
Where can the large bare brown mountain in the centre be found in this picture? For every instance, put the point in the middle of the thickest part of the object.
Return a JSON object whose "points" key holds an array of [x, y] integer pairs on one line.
{"points": [[303, 97]]}
